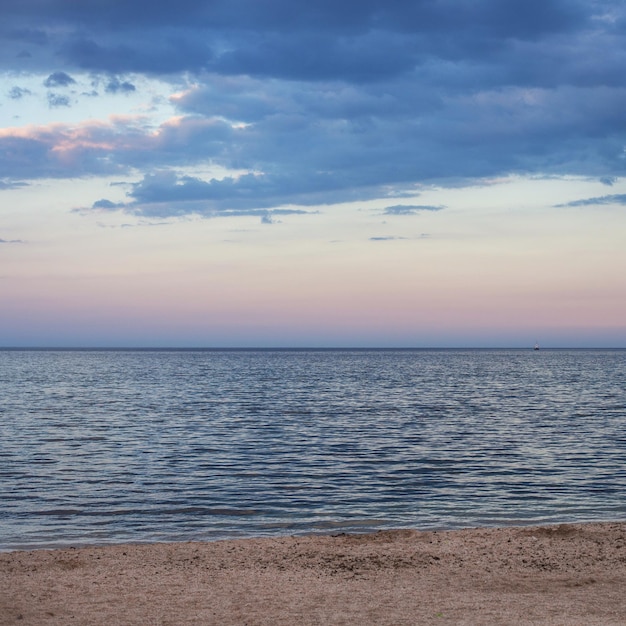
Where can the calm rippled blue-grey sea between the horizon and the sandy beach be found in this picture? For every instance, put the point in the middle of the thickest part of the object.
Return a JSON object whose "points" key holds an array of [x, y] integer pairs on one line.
{"points": [[132, 446]]}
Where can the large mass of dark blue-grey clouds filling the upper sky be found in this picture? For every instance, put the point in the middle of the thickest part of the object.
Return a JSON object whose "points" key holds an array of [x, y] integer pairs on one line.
{"points": [[321, 102]]}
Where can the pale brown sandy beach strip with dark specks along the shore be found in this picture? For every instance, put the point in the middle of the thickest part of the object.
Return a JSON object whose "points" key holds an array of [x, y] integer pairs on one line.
{"points": [[566, 574]]}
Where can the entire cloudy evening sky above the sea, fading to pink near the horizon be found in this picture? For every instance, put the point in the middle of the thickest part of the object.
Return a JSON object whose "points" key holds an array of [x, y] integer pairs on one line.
{"points": [[278, 173]]}
